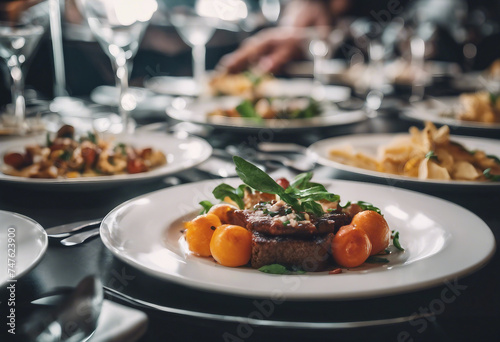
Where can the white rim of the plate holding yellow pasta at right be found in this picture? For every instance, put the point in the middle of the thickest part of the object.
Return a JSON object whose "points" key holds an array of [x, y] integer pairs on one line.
{"points": [[322, 160]]}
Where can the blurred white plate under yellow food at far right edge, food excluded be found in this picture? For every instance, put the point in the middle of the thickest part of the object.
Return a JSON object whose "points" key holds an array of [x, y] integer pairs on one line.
{"points": [[442, 111]]}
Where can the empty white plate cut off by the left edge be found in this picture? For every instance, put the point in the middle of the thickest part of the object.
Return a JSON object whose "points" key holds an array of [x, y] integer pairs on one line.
{"points": [[23, 243]]}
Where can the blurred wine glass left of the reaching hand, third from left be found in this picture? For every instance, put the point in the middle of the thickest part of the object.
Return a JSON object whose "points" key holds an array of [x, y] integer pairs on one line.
{"points": [[196, 24]]}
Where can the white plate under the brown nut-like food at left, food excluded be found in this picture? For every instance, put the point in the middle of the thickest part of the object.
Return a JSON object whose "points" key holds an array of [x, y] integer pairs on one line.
{"points": [[182, 153]]}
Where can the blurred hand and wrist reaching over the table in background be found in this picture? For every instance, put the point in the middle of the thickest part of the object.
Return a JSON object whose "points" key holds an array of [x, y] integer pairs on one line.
{"points": [[270, 49]]}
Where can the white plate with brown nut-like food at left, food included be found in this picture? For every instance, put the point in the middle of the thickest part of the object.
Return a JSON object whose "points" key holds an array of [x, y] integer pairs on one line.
{"points": [[68, 161]]}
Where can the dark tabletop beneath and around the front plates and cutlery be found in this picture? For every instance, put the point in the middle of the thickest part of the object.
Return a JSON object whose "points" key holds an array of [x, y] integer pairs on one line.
{"points": [[472, 315]]}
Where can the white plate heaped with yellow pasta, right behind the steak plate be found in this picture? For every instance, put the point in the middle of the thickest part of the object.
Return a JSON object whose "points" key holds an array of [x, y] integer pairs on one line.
{"points": [[424, 157]]}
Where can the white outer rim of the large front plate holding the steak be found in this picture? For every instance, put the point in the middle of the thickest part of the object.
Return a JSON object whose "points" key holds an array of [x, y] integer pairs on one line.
{"points": [[184, 281]]}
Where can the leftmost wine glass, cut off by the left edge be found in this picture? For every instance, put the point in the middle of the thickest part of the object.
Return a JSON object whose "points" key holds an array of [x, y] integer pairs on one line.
{"points": [[22, 24]]}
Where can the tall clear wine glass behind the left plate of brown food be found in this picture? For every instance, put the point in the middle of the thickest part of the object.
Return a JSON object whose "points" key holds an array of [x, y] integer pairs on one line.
{"points": [[118, 26]]}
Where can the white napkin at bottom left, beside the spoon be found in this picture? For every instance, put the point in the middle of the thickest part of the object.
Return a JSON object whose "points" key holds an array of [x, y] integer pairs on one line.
{"points": [[119, 323]]}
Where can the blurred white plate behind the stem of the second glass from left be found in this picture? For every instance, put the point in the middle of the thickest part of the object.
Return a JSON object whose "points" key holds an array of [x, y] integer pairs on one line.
{"points": [[146, 99]]}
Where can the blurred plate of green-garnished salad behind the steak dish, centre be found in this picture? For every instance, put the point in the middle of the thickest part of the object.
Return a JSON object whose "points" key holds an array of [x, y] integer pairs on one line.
{"points": [[277, 113]]}
